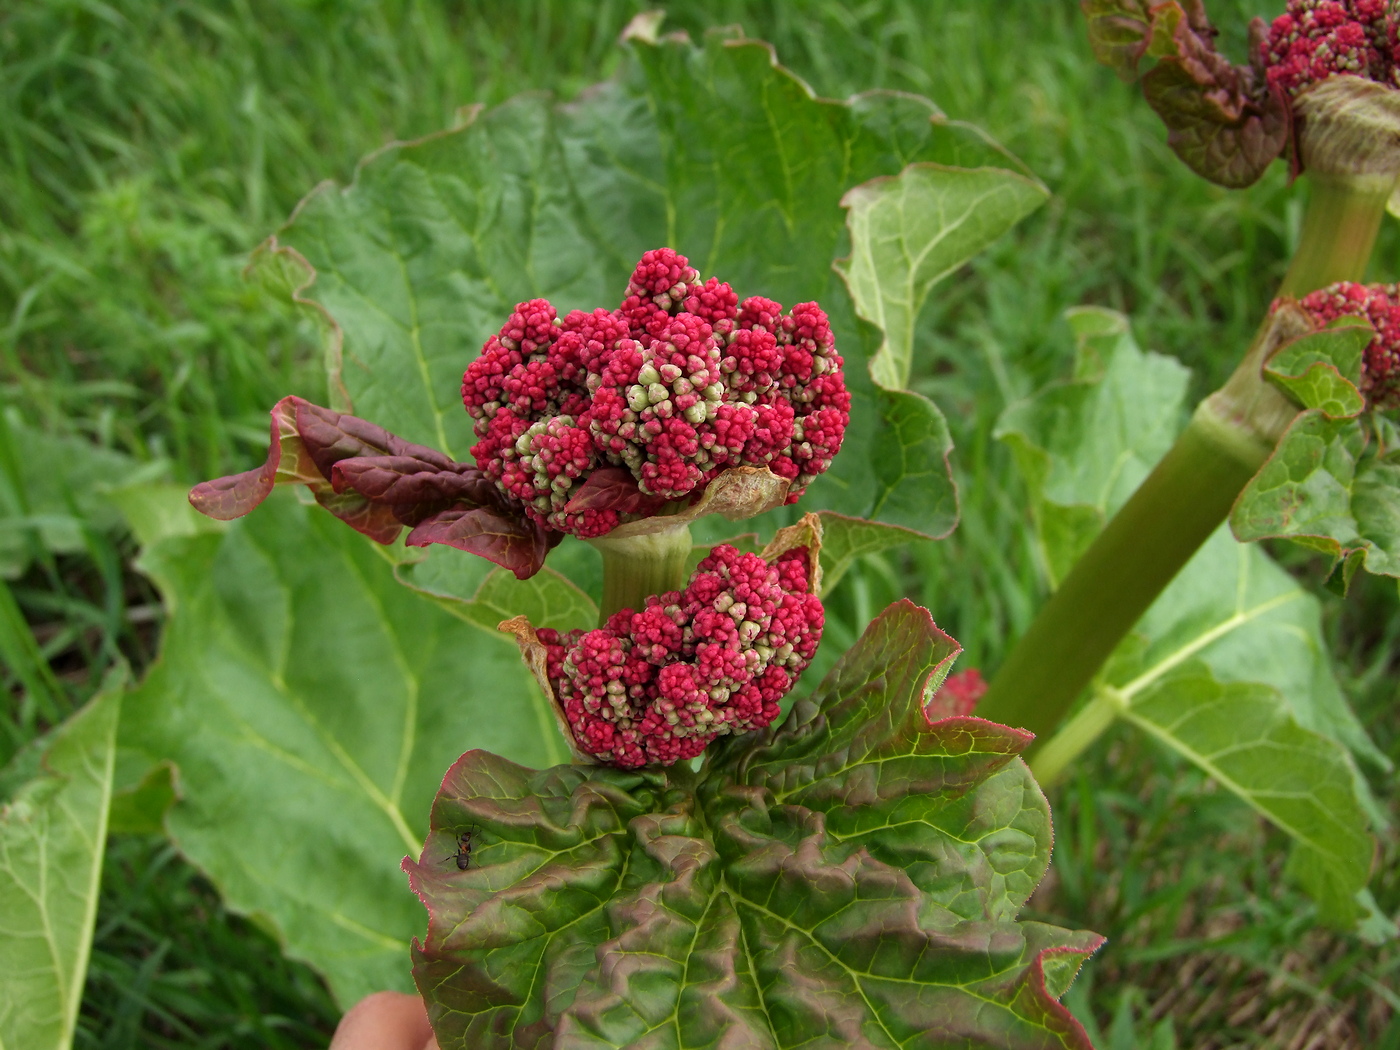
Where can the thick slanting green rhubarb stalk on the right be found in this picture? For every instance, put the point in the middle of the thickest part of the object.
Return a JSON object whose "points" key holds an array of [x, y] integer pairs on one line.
{"points": [[1185, 499]]}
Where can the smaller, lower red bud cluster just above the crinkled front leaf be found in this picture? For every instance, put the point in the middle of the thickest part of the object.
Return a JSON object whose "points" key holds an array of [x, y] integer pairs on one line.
{"points": [[656, 687]]}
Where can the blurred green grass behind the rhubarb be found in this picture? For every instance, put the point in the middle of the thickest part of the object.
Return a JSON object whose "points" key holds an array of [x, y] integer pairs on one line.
{"points": [[146, 146]]}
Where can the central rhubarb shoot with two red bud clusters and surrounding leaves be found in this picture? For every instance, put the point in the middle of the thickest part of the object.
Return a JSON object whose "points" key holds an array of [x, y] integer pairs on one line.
{"points": [[542, 415]]}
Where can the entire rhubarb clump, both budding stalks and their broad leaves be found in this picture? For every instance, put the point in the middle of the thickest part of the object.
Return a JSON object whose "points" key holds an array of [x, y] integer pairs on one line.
{"points": [[569, 348]]}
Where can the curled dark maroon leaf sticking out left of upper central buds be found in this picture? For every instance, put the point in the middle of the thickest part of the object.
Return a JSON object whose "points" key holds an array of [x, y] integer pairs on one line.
{"points": [[377, 484]]}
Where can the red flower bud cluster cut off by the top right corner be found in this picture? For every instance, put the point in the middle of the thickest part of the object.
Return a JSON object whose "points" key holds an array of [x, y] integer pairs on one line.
{"points": [[1315, 40]]}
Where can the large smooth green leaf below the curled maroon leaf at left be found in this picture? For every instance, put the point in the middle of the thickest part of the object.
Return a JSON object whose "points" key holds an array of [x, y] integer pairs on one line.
{"points": [[310, 705]]}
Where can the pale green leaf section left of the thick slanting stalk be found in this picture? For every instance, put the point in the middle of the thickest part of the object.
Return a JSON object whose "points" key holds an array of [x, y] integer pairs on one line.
{"points": [[1086, 444]]}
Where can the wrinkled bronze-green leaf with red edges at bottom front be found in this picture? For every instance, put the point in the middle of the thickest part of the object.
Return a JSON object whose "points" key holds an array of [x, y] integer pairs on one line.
{"points": [[849, 880]]}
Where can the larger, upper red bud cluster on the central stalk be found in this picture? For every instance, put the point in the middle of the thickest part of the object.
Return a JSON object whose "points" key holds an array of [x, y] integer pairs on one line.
{"points": [[678, 384]]}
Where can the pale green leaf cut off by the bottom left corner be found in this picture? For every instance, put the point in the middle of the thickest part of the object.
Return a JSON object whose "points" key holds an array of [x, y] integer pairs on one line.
{"points": [[52, 836]]}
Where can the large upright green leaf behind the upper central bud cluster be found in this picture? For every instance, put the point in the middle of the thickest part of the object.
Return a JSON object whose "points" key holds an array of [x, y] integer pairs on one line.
{"points": [[715, 150]]}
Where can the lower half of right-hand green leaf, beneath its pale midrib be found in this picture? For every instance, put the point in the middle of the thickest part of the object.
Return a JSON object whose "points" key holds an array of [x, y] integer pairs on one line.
{"points": [[1241, 733]]}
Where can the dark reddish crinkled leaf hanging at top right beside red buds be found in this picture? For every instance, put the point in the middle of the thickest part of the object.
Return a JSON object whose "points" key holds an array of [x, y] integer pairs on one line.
{"points": [[1223, 121]]}
